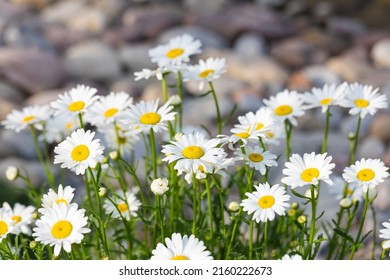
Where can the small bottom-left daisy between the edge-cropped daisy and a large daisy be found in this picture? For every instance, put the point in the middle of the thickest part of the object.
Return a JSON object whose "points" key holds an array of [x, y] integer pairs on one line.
{"points": [[22, 216]]}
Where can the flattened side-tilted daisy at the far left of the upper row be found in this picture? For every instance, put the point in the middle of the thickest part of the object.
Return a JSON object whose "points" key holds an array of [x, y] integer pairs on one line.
{"points": [[30, 116]]}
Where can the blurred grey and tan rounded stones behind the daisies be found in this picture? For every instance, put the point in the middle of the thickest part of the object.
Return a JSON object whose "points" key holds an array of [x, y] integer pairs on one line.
{"points": [[48, 46]]}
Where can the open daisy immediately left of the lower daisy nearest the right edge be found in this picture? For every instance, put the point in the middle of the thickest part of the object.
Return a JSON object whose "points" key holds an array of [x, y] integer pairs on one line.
{"points": [[311, 169]]}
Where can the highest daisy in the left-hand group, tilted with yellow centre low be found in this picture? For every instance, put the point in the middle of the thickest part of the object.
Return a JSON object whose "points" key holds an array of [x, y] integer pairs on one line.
{"points": [[75, 101]]}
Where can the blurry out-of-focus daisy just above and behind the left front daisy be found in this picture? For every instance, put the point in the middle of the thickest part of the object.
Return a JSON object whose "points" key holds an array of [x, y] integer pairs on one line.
{"points": [[59, 127]]}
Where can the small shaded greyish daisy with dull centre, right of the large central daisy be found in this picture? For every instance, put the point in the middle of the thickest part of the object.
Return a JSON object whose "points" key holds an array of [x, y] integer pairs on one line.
{"points": [[255, 157]]}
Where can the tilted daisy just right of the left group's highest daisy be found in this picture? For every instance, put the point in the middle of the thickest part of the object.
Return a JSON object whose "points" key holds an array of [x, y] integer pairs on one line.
{"points": [[108, 109]]}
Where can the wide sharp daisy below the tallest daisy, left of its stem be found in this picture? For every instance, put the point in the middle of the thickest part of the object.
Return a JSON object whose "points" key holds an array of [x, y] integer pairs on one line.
{"points": [[146, 115]]}
